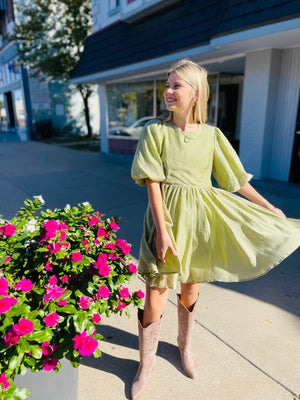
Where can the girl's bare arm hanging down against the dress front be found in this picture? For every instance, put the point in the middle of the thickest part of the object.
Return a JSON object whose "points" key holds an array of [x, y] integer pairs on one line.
{"points": [[163, 240]]}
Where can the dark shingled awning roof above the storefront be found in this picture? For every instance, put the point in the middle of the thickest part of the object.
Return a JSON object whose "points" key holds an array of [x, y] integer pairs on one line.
{"points": [[186, 24]]}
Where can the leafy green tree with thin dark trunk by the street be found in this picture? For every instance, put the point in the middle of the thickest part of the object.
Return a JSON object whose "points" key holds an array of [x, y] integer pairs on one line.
{"points": [[50, 36]]}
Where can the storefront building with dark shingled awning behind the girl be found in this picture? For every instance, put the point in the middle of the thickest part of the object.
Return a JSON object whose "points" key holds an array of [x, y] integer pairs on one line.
{"points": [[250, 48]]}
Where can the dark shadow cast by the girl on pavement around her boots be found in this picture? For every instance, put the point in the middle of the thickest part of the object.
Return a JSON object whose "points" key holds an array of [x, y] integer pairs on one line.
{"points": [[124, 368]]}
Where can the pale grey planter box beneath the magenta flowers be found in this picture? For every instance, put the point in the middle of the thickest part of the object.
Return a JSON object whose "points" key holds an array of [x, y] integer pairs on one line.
{"points": [[49, 385]]}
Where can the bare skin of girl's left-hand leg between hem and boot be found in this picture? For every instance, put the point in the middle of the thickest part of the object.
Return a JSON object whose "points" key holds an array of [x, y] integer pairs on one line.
{"points": [[155, 302]]}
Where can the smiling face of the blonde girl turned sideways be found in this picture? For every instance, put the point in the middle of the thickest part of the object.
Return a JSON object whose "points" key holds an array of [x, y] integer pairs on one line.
{"points": [[179, 95]]}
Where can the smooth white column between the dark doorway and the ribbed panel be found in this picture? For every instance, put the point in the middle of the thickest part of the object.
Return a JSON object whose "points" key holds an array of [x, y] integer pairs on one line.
{"points": [[262, 74]]}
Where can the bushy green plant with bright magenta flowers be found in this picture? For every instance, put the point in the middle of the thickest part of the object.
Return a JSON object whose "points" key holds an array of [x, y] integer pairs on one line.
{"points": [[59, 272]]}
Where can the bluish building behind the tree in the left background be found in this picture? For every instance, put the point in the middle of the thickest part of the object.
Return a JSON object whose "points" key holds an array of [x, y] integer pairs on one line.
{"points": [[26, 101]]}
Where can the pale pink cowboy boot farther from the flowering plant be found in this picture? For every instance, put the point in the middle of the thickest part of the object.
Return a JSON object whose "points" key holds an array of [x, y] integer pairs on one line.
{"points": [[185, 327]]}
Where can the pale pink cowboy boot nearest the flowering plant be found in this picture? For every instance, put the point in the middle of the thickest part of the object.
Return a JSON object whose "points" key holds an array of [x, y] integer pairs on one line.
{"points": [[148, 342]]}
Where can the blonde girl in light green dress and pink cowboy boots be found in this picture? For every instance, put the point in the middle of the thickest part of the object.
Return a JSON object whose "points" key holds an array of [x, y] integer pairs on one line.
{"points": [[194, 232]]}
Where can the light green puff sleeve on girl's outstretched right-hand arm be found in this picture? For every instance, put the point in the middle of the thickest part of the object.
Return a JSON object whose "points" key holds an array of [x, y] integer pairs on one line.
{"points": [[227, 167]]}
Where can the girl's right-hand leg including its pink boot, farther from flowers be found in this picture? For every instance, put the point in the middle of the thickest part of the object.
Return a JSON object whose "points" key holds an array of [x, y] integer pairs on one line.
{"points": [[186, 316]]}
